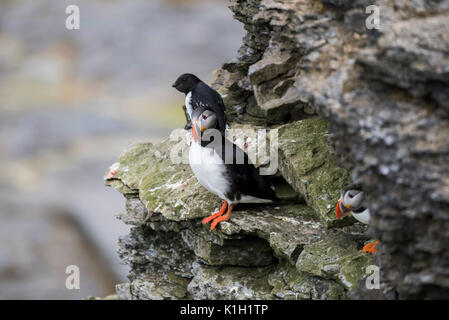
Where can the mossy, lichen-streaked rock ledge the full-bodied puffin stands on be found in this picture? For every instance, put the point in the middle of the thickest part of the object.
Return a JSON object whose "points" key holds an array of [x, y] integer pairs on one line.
{"points": [[292, 250]]}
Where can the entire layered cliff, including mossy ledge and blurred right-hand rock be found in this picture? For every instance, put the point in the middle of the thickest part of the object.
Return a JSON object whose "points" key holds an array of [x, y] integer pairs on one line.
{"points": [[336, 95]]}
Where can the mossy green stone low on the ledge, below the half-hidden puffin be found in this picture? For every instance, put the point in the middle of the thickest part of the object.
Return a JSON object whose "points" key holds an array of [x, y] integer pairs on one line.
{"points": [[337, 257]]}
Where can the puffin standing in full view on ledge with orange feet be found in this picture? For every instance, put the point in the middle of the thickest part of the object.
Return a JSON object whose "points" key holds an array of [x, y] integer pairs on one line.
{"points": [[223, 168]]}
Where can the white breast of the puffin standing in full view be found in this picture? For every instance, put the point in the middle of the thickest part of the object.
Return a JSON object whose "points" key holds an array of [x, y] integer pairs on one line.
{"points": [[209, 169]]}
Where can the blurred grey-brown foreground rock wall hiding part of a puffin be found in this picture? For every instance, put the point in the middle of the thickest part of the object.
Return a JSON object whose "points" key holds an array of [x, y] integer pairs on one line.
{"points": [[384, 94]]}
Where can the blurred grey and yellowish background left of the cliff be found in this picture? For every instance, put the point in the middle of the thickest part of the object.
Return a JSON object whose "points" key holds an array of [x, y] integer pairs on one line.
{"points": [[70, 101]]}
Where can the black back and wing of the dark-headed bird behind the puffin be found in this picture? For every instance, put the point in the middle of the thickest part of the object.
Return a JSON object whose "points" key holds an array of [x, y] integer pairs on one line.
{"points": [[205, 96]]}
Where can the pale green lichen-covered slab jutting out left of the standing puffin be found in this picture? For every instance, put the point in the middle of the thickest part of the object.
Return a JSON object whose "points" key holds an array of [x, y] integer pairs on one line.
{"points": [[162, 183]]}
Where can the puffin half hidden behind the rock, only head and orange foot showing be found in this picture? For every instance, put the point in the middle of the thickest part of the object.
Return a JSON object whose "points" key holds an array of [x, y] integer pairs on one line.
{"points": [[352, 201]]}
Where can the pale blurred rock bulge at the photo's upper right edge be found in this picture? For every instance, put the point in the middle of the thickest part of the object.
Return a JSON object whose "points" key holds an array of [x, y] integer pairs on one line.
{"points": [[412, 55]]}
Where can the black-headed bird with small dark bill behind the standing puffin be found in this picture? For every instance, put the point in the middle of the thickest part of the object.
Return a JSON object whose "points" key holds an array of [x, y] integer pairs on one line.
{"points": [[199, 94]]}
